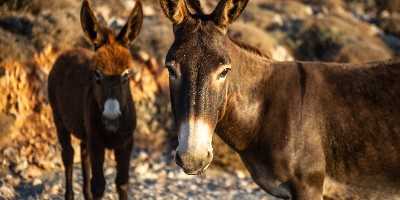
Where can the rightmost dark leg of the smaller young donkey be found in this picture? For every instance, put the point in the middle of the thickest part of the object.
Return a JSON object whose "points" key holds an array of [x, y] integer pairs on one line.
{"points": [[122, 157]]}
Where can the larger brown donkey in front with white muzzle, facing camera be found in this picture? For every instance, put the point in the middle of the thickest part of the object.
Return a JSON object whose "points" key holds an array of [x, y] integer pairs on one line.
{"points": [[293, 123]]}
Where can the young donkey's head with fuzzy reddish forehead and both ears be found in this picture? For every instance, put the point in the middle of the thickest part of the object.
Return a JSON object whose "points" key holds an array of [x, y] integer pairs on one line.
{"points": [[112, 64]]}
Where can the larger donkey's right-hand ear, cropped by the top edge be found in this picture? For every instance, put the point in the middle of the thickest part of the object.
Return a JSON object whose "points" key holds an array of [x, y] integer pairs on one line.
{"points": [[227, 11]]}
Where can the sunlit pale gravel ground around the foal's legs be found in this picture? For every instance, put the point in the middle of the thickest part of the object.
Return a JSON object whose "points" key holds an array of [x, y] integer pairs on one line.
{"points": [[149, 179]]}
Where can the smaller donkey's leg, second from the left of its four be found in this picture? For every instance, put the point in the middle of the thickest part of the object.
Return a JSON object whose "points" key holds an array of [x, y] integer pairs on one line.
{"points": [[86, 171]]}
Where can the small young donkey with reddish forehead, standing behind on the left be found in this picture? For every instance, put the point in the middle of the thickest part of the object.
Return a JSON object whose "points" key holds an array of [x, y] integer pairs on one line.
{"points": [[90, 96]]}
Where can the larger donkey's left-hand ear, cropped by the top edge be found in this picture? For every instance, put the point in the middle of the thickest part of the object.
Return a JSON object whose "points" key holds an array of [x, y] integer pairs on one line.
{"points": [[175, 10]]}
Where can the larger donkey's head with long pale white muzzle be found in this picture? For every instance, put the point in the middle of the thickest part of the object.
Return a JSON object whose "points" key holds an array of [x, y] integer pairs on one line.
{"points": [[199, 66]]}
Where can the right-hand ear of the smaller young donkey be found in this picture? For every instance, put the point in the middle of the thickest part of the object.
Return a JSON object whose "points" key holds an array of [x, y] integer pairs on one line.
{"points": [[132, 27]]}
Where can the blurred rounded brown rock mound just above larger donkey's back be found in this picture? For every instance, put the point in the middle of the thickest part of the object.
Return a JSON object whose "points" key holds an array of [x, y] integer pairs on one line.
{"points": [[340, 39]]}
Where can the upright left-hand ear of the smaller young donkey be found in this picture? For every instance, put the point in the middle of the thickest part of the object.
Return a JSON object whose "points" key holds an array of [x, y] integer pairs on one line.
{"points": [[90, 25]]}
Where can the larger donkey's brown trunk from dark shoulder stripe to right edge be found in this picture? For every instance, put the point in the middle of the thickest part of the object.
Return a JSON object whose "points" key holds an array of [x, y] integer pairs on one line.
{"points": [[356, 109]]}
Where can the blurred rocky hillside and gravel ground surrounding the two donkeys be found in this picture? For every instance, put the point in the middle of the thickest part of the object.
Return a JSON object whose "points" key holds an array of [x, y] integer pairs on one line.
{"points": [[34, 32]]}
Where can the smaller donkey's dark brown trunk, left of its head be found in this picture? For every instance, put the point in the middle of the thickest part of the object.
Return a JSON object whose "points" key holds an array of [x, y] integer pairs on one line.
{"points": [[68, 80]]}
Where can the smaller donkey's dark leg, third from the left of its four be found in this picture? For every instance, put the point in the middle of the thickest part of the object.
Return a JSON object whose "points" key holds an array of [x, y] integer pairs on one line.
{"points": [[98, 181]]}
